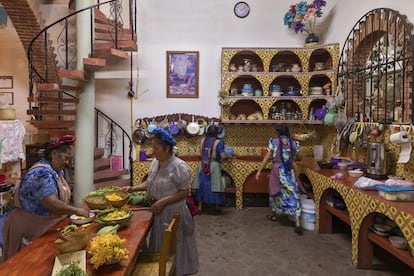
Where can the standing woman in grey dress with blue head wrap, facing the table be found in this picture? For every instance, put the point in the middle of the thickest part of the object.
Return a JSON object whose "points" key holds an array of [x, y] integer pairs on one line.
{"points": [[168, 183]]}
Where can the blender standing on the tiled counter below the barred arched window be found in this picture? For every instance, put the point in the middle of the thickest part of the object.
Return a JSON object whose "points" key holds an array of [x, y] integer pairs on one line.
{"points": [[376, 161]]}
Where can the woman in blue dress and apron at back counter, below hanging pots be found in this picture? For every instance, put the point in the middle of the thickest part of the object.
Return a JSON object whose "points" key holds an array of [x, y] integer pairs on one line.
{"points": [[210, 188]]}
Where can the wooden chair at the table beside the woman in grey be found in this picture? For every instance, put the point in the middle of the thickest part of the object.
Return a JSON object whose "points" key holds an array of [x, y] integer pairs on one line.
{"points": [[162, 263]]}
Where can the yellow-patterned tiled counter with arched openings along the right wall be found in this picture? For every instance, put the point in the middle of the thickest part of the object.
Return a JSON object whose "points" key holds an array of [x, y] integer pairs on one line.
{"points": [[363, 207]]}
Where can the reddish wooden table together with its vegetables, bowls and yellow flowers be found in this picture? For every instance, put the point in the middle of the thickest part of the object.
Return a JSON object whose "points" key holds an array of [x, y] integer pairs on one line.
{"points": [[83, 241]]}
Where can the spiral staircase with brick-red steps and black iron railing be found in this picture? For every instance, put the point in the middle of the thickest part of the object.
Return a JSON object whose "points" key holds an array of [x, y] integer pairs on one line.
{"points": [[54, 81]]}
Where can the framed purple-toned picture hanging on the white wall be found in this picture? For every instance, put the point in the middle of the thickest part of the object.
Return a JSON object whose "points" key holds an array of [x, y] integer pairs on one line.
{"points": [[182, 74]]}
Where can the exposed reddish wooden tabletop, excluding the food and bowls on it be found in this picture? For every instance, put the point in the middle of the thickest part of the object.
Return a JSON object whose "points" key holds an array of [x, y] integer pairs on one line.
{"points": [[38, 257]]}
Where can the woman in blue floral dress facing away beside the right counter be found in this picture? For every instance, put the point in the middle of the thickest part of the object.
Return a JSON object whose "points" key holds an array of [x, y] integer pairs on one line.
{"points": [[284, 195]]}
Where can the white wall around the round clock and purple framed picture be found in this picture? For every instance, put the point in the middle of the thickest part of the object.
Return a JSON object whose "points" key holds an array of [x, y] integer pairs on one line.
{"points": [[207, 26]]}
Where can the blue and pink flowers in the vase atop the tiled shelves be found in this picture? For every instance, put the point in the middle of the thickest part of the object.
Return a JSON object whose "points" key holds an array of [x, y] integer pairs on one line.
{"points": [[301, 17]]}
